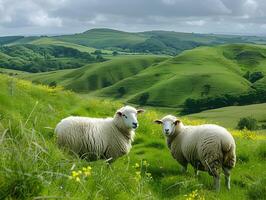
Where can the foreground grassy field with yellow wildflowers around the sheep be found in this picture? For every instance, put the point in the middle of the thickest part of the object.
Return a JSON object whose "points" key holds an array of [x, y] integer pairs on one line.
{"points": [[32, 166]]}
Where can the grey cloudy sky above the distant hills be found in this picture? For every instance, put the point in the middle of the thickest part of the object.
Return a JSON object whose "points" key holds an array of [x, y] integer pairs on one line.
{"points": [[31, 17]]}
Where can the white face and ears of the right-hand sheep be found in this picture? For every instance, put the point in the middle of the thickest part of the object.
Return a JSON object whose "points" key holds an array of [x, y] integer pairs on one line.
{"points": [[169, 124]]}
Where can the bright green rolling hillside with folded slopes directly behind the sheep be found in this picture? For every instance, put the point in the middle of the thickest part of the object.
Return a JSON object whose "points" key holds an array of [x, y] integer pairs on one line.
{"points": [[199, 73]]}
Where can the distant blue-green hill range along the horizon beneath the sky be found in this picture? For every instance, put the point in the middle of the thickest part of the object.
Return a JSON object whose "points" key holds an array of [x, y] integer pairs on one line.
{"points": [[154, 42]]}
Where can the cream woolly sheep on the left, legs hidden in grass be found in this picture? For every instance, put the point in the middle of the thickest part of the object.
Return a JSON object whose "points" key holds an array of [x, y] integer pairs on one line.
{"points": [[99, 138]]}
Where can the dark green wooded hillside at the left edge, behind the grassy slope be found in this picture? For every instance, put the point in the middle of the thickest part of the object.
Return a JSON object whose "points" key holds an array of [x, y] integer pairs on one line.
{"points": [[40, 58]]}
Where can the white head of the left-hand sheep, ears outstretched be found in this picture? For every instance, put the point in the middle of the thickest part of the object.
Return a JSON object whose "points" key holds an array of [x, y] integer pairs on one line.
{"points": [[128, 115]]}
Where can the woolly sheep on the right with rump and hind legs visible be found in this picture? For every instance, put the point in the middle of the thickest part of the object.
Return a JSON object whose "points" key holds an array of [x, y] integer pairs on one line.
{"points": [[206, 147]]}
